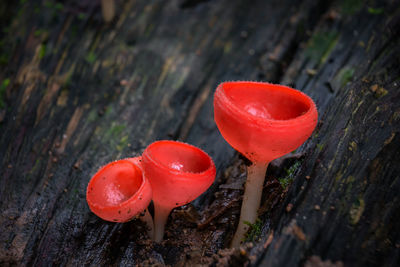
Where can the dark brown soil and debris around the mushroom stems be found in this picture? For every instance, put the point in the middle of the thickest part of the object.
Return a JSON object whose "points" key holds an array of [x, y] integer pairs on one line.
{"points": [[201, 237]]}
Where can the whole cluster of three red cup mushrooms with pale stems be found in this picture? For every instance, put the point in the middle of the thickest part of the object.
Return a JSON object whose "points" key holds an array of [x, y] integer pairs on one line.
{"points": [[262, 121]]}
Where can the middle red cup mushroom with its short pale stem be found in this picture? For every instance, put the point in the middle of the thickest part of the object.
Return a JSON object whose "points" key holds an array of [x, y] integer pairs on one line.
{"points": [[178, 173]]}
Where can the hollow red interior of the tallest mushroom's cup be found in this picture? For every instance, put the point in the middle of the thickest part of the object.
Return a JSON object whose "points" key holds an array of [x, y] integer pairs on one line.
{"points": [[276, 104]]}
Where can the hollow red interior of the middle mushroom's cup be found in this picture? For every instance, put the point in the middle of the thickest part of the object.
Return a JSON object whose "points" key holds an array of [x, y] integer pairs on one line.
{"points": [[180, 157]]}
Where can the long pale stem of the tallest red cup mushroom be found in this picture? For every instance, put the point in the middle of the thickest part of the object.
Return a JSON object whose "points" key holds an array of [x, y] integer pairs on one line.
{"points": [[251, 200]]}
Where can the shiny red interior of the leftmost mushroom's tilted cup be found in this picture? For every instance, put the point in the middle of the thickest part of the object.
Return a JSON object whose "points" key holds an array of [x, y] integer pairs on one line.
{"points": [[113, 186]]}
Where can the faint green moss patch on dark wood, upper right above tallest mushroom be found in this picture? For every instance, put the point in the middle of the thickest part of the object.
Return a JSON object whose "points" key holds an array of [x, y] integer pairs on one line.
{"points": [[321, 45]]}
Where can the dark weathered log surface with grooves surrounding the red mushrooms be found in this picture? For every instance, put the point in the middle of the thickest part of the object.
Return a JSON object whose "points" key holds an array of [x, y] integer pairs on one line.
{"points": [[76, 93]]}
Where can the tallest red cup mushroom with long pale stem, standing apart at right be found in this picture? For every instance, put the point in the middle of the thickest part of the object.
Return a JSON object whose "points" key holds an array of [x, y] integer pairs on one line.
{"points": [[263, 121]]}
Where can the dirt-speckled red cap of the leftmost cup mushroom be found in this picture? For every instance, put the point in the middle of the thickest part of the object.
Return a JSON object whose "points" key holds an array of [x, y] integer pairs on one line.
{"points": [[118, 191]]}
